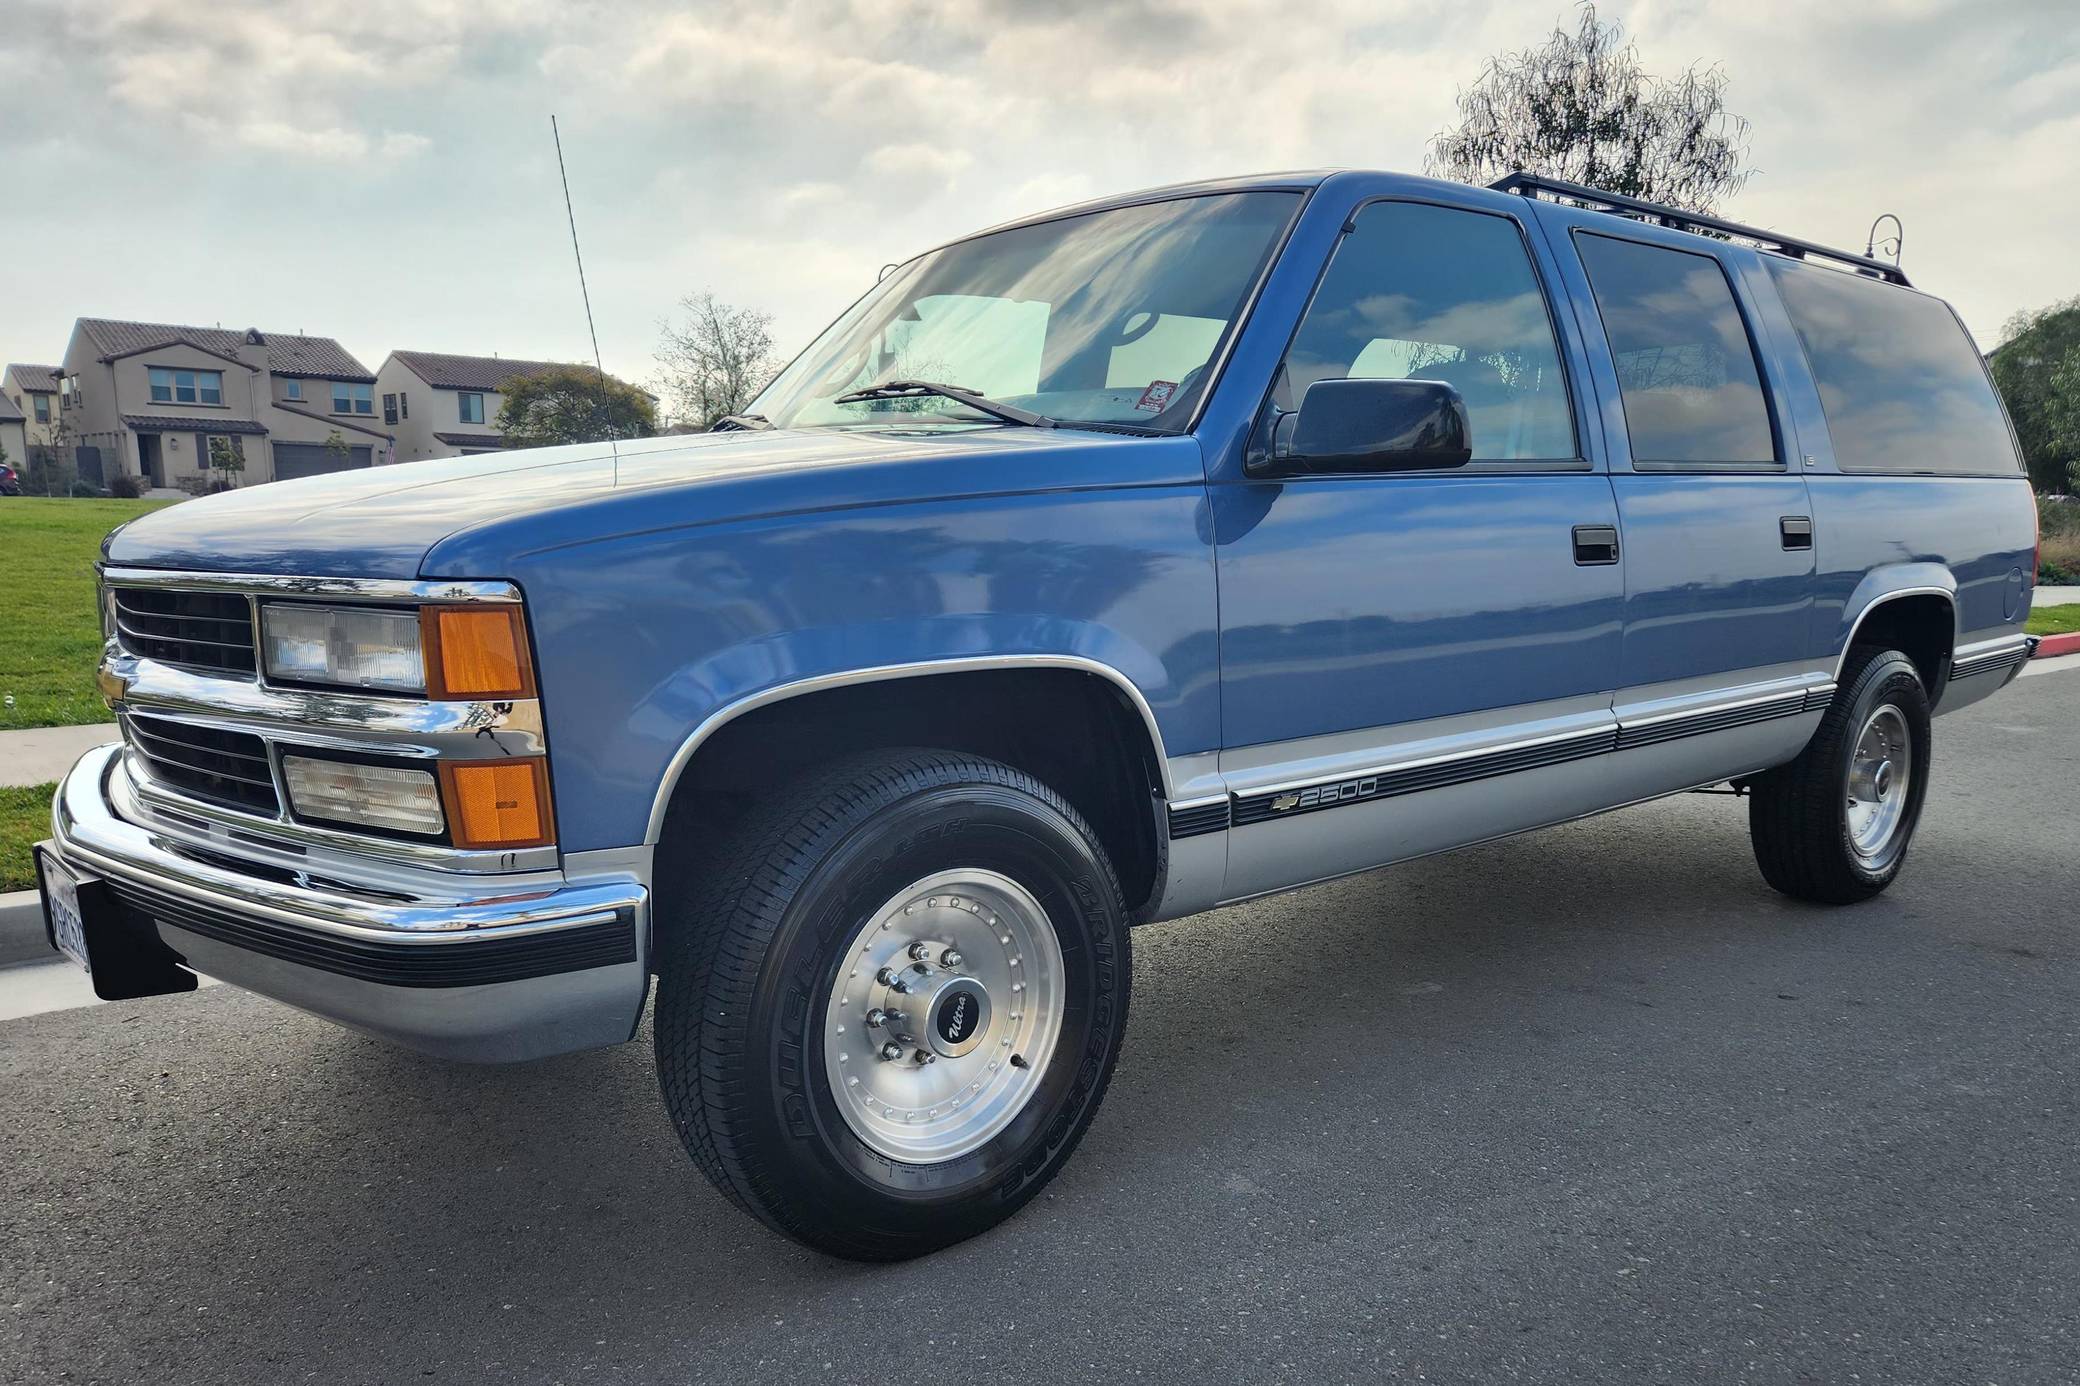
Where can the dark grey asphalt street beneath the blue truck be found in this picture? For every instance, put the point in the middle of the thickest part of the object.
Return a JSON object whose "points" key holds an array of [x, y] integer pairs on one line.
{"points": [[1584, 1106]]}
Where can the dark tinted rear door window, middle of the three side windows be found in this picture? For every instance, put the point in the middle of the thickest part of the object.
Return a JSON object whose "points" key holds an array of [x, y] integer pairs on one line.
{"points": [[1686, 367]]}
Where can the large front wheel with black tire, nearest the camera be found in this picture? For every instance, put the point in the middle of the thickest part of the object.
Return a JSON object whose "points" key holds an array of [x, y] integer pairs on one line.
{"points": [[891, 1002]]}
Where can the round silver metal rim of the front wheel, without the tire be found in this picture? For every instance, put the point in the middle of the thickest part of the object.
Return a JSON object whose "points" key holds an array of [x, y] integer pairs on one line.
{"points": [[943, 1017]]}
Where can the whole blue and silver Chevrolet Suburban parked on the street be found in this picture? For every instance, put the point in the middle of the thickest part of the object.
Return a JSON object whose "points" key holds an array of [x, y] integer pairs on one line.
{"points": [[1091, 571]]}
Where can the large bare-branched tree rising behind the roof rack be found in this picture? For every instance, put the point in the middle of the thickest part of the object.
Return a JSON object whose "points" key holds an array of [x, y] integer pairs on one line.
{"points": [[1582, 109]]}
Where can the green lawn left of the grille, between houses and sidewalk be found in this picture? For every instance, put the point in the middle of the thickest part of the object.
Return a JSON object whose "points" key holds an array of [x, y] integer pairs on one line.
{"points": [[51, 636]]}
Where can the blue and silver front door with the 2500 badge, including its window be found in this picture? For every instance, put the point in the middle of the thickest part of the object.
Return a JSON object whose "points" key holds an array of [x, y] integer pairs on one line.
{"points": [[1420, 661]]}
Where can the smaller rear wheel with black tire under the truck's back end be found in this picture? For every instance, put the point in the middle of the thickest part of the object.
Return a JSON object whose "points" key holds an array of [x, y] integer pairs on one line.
{"points": [[1834, 827]]}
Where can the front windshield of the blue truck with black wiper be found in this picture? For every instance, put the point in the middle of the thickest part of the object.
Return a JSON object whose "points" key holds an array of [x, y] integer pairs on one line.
{"points": [[1110, 317]]}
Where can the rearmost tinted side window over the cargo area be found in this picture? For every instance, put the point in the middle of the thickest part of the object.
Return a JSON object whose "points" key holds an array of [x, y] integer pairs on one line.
{"points": [[1900, 380]]}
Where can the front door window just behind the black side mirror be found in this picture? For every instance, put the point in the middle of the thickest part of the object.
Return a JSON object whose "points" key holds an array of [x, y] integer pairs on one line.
{"points": [[1432, 294]]}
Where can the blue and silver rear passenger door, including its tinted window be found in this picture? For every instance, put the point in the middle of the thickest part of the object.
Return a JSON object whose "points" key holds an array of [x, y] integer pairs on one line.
{"points": [[1715, 515]]}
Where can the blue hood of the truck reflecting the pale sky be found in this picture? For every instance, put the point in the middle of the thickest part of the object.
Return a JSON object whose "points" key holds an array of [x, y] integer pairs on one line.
{"points": [[386, 521]]}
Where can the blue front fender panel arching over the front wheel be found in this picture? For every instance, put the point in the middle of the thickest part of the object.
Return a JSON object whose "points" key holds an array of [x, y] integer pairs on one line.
{"points": [[650, 642]]}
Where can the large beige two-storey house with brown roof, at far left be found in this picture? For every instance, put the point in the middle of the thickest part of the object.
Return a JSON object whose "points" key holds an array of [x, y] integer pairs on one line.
{"points": [[155, 401]]}
